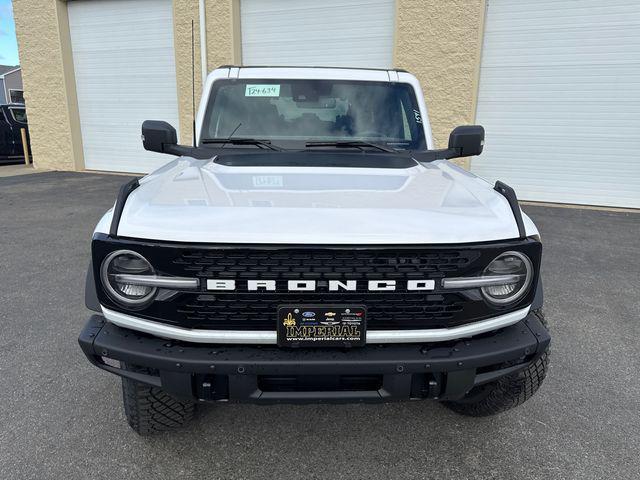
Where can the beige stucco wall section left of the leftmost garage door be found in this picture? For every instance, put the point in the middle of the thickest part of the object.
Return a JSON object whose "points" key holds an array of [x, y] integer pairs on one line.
{"points": [[45, 57]]}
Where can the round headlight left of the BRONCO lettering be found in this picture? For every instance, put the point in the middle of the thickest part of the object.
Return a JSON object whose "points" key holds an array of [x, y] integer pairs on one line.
{"points": [[114, 270]]}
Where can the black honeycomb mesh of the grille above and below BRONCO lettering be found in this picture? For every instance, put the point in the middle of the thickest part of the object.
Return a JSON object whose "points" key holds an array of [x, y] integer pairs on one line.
{"points": [[384, 311]]}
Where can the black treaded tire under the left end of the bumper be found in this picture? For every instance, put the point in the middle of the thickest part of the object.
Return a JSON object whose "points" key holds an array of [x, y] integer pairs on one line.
{"points": [[150, 410]]}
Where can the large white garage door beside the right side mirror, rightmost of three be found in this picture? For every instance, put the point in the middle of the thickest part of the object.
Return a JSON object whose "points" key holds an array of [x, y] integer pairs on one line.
{"points": [[560, 100]]}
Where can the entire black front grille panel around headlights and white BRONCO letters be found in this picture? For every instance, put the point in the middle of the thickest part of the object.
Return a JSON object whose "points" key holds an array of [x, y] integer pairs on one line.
{"points": [[244, 310]]}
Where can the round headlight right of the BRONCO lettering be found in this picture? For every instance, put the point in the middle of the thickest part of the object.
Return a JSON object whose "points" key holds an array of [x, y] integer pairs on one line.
{"points": [[515, 270]]}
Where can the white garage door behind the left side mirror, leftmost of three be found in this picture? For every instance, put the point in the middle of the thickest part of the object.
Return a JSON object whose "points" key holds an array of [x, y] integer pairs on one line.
{"points": [[125, 73]]}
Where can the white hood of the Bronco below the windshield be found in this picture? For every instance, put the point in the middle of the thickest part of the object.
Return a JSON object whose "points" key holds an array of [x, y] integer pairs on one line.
{"points": [[191, 200]]}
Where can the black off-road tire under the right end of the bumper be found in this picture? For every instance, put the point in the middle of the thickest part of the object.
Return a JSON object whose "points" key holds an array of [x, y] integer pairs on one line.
{"points": [[507, 392]]}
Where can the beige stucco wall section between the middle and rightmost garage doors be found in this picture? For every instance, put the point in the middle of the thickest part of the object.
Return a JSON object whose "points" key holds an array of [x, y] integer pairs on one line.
{"points": [[439, 41]]}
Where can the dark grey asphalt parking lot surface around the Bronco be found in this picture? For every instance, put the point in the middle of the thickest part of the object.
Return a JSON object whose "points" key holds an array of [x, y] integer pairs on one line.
{"points": [[62, 418]]}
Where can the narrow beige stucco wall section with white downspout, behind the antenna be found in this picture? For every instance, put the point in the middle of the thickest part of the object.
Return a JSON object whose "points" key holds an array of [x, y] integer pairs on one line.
{"points": [[221, 20]]}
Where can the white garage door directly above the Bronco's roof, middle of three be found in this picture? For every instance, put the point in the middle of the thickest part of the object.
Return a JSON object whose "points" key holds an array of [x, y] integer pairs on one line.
{"points": [[344, 33]]}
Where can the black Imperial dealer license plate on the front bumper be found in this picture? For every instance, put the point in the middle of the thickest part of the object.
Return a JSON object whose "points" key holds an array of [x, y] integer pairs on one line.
{"points": [[321, 325]]}
